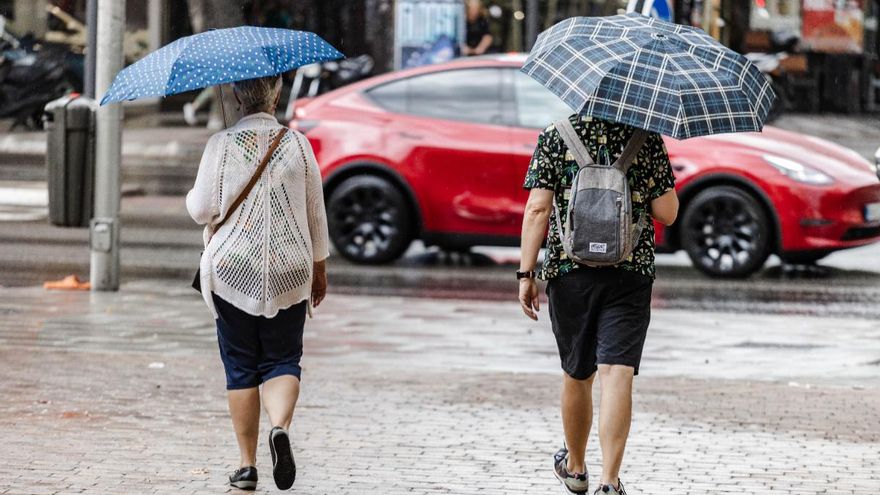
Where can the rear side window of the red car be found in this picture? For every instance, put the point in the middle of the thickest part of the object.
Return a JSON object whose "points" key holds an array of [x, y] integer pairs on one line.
{"points": [[470, 95]]}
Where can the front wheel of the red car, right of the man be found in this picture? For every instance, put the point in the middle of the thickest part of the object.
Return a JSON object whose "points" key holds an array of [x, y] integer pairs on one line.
{"points": [[726, 233]]}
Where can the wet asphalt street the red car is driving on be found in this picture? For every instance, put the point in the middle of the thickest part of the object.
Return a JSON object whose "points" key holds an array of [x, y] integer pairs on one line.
{"points": [[160, 241]]}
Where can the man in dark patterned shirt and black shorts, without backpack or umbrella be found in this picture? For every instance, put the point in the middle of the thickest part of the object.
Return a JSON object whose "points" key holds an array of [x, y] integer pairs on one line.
{"points": [[599, 316]]}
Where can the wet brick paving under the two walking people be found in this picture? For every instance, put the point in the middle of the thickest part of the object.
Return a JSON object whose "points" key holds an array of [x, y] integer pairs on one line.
{"points": [[123, 393]]}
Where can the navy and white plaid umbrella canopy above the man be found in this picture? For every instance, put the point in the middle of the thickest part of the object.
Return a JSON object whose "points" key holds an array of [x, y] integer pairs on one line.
{"points": [[654, 75]]}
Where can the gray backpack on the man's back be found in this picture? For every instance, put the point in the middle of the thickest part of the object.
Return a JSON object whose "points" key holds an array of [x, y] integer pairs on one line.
{"points": [[599, 229]]}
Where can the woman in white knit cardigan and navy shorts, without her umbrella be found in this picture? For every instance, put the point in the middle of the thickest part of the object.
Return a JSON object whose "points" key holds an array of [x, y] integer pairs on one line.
{"points": [[262, 268]]}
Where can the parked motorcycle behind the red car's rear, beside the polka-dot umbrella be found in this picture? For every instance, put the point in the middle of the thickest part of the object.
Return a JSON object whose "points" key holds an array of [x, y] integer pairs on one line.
{"points": [[311, 80]]}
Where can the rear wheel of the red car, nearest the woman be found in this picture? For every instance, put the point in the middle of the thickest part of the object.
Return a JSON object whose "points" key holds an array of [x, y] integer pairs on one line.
{"points": [[369, 219]]}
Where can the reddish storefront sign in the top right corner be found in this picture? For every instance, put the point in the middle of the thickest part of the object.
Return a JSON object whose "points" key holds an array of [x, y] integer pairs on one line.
{"points": [[833, 26]]}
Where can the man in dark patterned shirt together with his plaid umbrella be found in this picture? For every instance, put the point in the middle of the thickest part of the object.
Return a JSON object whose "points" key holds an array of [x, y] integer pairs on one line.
{"points": [[624, 76]]}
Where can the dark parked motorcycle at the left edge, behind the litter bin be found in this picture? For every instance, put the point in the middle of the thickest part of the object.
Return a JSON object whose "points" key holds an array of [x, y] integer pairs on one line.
{"points": [[30, 77]]}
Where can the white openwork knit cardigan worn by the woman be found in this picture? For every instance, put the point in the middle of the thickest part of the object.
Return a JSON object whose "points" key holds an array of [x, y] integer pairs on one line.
{"points": [[261, 259]]}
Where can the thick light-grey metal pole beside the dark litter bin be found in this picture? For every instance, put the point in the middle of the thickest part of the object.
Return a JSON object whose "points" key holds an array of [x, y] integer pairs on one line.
{"points": [[108, 149]]}
